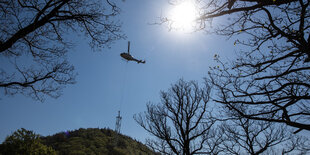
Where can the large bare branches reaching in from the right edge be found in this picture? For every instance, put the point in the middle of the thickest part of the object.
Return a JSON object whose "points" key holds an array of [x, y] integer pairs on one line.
{"points": [[271, 73]]}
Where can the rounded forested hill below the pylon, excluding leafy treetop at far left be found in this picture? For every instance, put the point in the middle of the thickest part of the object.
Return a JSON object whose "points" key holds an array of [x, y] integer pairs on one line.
{"points": [[95, 141]]}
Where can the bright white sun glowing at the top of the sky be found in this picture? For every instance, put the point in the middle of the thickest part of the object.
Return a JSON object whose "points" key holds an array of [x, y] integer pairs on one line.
{"points": [[183, 16]]}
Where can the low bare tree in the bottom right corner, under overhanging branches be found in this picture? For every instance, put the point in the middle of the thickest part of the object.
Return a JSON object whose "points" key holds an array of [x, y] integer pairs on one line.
{"points": [[245, 136]]}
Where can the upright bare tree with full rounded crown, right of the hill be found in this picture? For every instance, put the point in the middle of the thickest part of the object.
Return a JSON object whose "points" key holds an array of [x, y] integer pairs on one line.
{"points": [[181, 122]]}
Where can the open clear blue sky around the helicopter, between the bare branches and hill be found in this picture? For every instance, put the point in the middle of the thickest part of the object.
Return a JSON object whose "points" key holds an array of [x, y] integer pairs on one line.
{"points": [[106, 83]]}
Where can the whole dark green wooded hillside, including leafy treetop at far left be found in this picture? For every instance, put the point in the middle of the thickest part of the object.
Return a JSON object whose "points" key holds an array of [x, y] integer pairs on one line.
{"points": [[91, 141]]}
